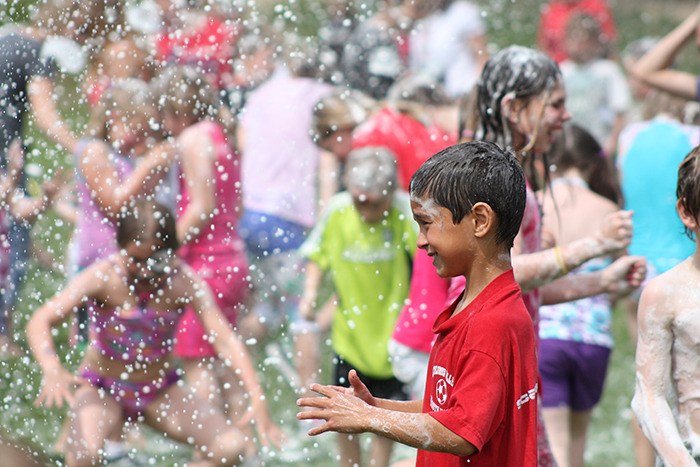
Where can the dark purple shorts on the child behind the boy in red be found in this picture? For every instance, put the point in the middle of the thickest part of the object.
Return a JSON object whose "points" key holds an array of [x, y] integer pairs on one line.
{"points": [[572, 373]]}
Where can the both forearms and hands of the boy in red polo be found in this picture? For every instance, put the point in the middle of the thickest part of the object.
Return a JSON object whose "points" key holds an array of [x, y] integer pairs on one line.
{"points": [[355, 410]]}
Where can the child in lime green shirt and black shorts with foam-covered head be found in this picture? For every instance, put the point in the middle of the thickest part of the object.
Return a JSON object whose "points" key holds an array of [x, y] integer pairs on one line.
{"points": [[366, 240]]}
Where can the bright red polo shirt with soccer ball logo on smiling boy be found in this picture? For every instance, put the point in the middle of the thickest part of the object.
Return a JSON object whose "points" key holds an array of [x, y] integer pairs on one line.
{"points": [[482, 379]]}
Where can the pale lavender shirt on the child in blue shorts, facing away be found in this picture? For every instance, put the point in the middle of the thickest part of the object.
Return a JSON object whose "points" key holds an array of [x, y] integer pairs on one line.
{"points": [[280, 160]]}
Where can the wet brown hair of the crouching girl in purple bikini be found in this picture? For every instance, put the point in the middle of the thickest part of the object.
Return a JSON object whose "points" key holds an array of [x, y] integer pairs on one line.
{"points": [[146, 220]]}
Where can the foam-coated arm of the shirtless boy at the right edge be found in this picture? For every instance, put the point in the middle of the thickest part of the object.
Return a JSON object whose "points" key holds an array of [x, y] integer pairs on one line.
{"points": [[654, 349]]}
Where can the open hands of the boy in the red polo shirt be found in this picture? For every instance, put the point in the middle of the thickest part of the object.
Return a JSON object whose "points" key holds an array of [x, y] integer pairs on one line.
{"points": [[345, 410]]}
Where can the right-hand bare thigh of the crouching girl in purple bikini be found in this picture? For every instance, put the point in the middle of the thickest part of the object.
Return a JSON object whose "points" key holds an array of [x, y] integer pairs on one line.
{"points": [[185, 417]]}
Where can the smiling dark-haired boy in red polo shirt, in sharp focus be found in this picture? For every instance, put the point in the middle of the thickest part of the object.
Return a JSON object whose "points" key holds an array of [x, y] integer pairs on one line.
{"points": [[479, 404]]}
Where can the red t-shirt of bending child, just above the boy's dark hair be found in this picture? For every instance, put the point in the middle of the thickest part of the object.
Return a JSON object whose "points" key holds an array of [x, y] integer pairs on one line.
{"points": [[410, 140]]}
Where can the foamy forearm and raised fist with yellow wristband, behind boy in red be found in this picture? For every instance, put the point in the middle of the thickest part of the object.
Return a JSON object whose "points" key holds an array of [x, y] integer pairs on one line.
{"points": [[533, 270]]}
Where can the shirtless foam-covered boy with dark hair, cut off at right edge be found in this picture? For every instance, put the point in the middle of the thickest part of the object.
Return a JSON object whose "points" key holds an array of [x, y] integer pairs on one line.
{"points": [[666, 398]]}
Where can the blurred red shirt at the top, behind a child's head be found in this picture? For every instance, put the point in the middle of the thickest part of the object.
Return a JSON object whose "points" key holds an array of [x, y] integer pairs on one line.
{"points": [[556, 15]]}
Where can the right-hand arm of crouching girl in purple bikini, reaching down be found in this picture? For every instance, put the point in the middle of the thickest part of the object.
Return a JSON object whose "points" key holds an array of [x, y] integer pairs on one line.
{"points": [[233, 352]]}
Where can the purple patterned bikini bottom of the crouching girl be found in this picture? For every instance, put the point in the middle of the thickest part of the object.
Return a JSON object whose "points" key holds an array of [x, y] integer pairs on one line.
{"points": [[131, 397]]}
